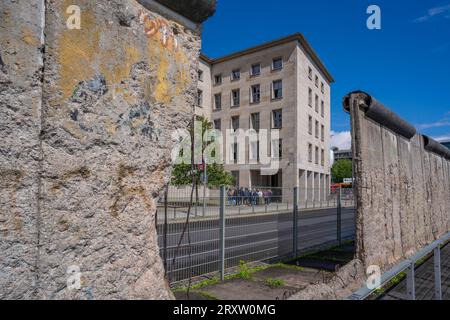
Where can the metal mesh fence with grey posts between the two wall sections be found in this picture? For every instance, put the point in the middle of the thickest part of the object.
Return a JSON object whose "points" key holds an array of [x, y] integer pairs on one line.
{"points": [[223, 230]]}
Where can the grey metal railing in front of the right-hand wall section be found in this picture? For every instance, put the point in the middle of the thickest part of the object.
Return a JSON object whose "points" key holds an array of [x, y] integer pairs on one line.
{"points": [[409, 266]]}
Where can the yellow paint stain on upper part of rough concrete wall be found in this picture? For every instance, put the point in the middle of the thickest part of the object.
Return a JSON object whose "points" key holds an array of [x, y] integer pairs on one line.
{"points": [[81, 58]]}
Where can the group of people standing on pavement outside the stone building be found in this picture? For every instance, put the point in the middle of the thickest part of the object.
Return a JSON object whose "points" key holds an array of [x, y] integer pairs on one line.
{"points": [[245, 196]]}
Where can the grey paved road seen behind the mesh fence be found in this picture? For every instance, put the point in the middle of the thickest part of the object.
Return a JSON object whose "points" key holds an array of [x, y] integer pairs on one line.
{"points": [[249, 237]]}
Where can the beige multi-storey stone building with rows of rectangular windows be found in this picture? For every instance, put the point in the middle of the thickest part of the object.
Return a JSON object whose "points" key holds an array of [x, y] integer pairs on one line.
{"points": [[277, 85]]}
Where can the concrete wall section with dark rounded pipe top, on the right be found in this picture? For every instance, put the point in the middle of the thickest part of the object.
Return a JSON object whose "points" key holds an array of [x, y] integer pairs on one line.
{"points": [[403, 190]]}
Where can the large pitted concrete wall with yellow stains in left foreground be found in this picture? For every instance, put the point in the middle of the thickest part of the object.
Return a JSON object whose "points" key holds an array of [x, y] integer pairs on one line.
{"points": [[86, 124]]}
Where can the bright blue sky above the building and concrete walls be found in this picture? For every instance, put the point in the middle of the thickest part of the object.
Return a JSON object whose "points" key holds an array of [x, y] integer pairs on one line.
{"points": [[405, 65]]}
